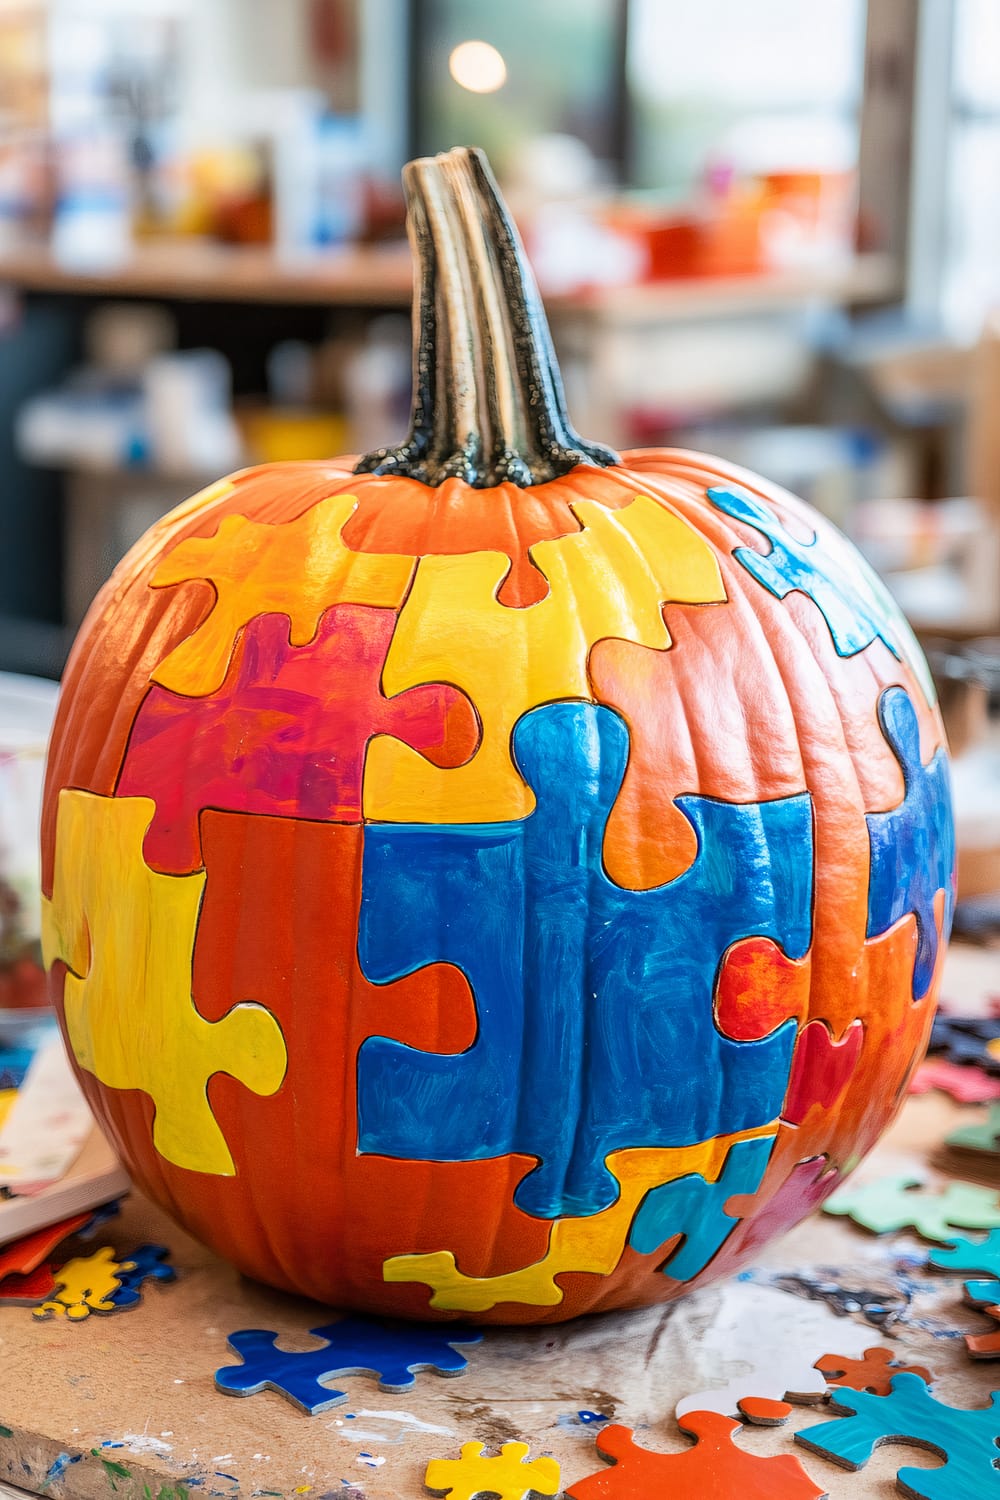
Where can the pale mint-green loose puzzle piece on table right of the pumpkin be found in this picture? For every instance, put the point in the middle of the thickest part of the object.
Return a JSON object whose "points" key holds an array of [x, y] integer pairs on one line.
{"points": [[897, 1204]]}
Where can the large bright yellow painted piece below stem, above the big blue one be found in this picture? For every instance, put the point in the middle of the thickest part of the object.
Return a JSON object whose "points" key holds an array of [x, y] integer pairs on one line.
{"points": [[609, 580]]}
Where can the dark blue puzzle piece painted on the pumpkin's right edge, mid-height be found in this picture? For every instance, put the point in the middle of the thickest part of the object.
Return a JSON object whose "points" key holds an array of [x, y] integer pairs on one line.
{"points": [[912, 845]]}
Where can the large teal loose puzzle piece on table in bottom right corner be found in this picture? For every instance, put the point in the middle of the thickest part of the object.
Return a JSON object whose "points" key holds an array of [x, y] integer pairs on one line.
{"points": [[966, 1439]]}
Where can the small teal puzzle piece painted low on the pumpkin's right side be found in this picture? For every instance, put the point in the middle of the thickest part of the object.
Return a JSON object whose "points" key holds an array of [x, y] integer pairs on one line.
{"points": [[696, 1208]]}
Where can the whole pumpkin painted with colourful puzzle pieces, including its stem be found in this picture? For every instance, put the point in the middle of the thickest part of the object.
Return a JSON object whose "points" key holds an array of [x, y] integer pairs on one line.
{"points": [[497, 878]]}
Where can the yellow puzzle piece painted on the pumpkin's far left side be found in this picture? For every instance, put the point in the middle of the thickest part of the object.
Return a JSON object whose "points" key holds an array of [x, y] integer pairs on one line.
{"points": [[128, 935]]}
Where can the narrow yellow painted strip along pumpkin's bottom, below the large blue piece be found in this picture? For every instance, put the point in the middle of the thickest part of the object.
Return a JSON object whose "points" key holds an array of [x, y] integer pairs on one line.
{"points": [[594, 1243]]}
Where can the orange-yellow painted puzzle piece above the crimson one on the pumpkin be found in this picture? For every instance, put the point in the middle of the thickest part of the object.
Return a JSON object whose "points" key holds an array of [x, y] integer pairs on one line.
{"points": [[298, 569]]}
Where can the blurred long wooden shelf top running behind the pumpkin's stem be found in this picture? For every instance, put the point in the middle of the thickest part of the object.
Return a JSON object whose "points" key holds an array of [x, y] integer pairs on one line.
{"points": [[380, 277]]}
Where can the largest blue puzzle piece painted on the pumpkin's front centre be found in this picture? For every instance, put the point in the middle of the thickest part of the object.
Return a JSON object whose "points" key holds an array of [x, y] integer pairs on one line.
{"points": [[594, 1003]]}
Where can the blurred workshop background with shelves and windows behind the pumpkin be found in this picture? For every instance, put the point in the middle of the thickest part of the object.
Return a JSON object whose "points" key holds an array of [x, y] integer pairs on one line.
{"points": [[767, 230]]}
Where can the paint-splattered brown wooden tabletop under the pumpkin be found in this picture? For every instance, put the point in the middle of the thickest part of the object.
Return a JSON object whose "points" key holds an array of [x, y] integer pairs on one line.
{"points": [[128, 1405]]}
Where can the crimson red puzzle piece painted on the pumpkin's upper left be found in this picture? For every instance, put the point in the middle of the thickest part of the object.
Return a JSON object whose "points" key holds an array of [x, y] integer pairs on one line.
{"points": [[287, 733]]}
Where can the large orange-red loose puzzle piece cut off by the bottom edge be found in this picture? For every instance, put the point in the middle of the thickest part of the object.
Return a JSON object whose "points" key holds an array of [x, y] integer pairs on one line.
{"points": [[714, 1469]]}
